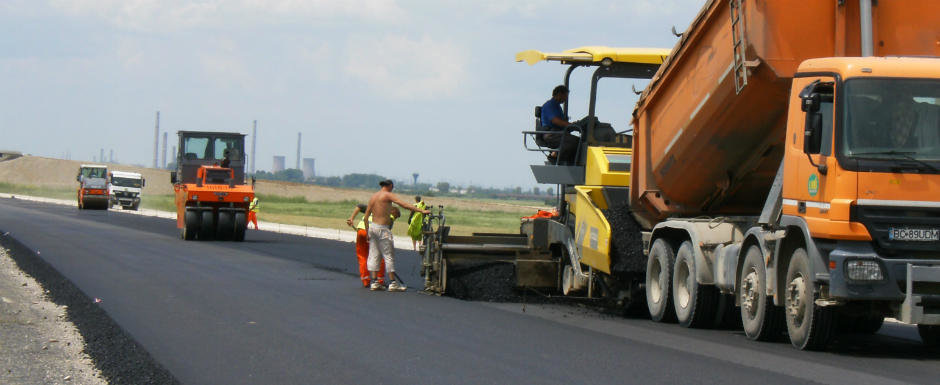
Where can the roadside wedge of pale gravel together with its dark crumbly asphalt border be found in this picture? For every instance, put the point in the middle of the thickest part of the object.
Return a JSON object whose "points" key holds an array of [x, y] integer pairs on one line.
{"points": [[52, 333]]}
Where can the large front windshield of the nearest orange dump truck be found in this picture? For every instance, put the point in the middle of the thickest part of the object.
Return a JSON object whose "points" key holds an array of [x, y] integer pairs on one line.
{"points": [[893, 119]]}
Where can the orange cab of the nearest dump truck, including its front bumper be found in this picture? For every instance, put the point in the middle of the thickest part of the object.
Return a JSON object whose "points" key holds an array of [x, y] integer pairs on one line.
{"points": [[861, 180]]}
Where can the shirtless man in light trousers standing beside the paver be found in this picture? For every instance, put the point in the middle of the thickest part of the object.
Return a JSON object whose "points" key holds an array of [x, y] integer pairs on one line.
{"points": [[381, 241]]}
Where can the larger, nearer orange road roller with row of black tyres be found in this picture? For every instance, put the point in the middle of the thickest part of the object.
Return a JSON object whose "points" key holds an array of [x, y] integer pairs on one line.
{"points": [[212, 197]]}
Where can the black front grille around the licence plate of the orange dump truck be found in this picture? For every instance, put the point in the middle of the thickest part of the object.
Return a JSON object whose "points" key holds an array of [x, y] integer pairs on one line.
{"points": [[880, 220]]}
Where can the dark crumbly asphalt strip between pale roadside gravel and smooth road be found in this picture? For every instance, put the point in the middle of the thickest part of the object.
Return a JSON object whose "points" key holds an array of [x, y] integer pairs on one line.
{"points": [[120, 359]]}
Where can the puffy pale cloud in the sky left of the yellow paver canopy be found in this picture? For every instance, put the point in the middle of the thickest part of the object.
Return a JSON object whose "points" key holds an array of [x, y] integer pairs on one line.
{"points": [[401, 68]]}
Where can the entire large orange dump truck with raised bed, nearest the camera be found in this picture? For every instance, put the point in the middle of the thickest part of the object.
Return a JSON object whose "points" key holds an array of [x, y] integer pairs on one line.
{"points": [[787, 152]]}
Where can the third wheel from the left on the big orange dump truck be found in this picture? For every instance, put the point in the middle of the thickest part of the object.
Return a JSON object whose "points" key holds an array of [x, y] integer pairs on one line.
{"points": [[761, 320]]}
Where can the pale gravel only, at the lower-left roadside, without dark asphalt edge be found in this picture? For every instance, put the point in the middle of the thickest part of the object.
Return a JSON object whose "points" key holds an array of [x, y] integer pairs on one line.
{"points": [[37, 344]]}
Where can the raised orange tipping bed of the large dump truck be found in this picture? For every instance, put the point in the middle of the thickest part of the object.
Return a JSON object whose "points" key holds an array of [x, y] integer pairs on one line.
{"points": [[702, 148]]}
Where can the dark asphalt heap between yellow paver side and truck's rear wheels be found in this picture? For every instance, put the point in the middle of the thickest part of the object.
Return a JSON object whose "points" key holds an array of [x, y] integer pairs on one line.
{"points": [[626, 241]]}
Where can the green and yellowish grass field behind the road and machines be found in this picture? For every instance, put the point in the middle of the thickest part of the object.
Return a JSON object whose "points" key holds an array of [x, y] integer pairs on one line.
{"points": [[298, 211]]}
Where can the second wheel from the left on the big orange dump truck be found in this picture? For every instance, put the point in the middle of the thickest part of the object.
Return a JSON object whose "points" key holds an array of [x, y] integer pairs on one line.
{"points": [[694, 303]]}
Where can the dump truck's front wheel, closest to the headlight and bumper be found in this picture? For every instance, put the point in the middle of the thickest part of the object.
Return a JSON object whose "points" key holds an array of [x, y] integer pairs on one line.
{"points": [[809, 326]]}
